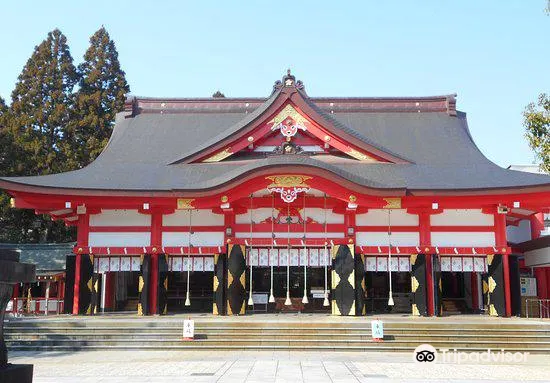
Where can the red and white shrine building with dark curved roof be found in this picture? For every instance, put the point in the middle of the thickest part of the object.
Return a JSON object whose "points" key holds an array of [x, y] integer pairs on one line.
{"points": [[347, 206]]}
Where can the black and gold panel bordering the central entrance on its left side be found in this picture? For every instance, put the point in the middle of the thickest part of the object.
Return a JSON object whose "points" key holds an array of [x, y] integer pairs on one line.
{"points": [[236, 280]]}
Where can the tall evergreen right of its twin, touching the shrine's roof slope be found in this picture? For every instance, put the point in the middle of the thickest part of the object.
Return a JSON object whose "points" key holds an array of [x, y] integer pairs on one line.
{"points": [[102, 93]]}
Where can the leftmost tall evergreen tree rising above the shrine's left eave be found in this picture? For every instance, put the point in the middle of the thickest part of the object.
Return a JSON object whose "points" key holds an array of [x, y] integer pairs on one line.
{"points": [[41, 107]]}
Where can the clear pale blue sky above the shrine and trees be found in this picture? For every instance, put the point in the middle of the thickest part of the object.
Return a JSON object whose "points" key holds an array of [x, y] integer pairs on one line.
{"points": [[493, 54]]}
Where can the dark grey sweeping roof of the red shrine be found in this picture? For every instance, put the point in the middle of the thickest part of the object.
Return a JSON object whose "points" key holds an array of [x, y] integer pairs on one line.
{"points": [[144, 147]]}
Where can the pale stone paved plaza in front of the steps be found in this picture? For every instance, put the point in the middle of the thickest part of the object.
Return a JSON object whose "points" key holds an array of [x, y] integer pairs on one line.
{"points": [[266, 366]]}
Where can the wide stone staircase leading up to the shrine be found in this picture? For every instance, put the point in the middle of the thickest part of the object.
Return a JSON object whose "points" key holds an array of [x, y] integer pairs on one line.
{"points": [[166, 334]]}
